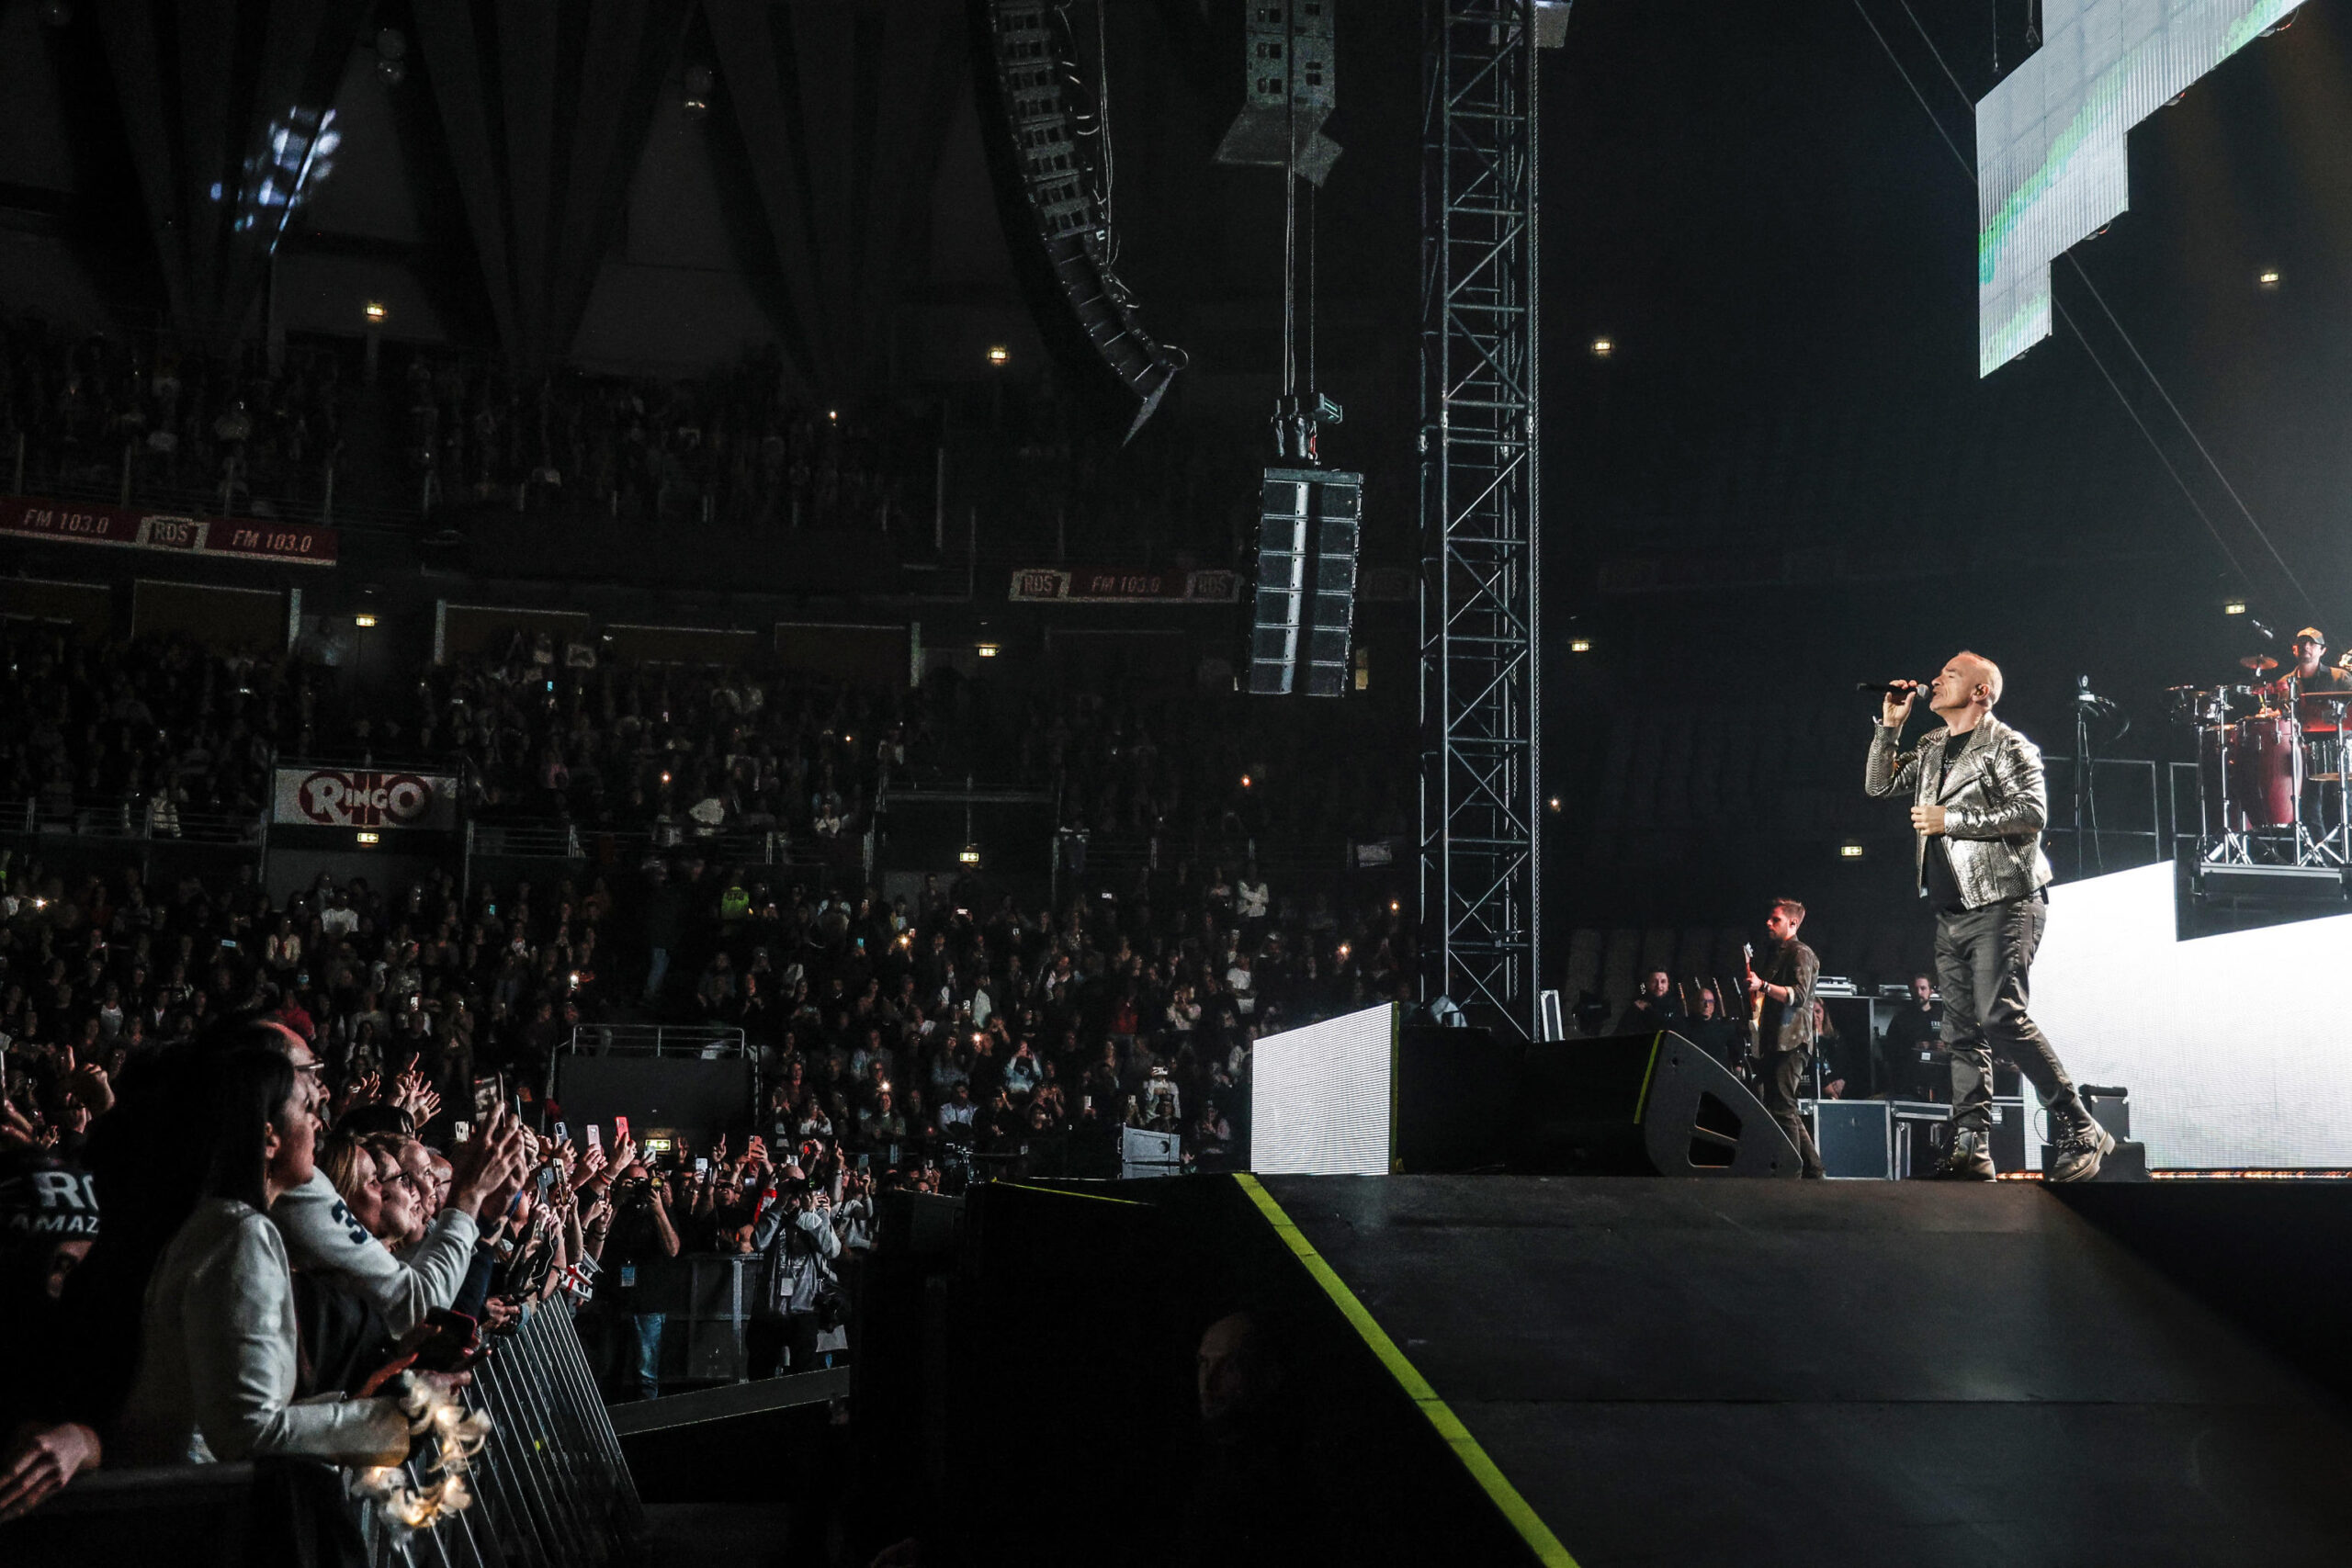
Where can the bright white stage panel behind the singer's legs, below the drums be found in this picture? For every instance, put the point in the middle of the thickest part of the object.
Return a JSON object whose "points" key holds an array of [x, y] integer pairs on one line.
{"points": [[2238, 1050]]}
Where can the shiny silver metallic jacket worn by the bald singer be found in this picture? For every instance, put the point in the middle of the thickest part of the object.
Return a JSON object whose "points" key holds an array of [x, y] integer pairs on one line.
{"points": [[1996, 808]]}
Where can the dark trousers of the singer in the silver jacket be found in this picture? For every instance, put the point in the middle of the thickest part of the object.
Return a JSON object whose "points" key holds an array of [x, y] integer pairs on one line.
{"points": [[1982, 970]]}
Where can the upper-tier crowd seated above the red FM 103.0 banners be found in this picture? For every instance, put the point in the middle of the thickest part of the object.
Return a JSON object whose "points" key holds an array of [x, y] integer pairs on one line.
{"points": [[733, 448]]}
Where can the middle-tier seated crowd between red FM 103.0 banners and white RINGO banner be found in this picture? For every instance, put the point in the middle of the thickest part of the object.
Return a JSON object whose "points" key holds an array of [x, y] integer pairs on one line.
{"points": [[149, 732]]}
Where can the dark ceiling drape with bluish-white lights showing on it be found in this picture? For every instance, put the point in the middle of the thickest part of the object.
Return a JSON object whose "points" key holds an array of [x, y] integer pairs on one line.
{"points": [[220, 102]]}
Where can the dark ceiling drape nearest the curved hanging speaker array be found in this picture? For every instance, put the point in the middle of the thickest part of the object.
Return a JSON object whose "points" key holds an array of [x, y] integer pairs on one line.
{"points": [[843, 109]]}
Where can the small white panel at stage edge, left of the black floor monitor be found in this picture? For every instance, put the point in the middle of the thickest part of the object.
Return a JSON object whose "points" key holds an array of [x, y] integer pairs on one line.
{"points": [[1321, 1097]]}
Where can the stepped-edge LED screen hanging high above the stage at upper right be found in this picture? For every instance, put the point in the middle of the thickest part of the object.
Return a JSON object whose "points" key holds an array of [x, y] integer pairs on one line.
{"points": [[2050, 140]]}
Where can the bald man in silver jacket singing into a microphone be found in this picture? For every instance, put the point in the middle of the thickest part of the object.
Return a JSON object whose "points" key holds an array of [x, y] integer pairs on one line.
{"points": [[1979, 808]]}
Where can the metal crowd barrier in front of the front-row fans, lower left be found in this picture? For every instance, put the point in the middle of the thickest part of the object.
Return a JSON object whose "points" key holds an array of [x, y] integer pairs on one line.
{"points": [[549, 1487]]}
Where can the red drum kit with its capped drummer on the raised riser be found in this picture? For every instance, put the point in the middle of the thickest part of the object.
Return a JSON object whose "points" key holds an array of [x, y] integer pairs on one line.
{"points": [[2261, 749]]}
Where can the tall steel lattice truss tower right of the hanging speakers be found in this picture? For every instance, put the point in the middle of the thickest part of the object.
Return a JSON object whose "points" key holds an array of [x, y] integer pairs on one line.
{"points": [[1481, 789]]}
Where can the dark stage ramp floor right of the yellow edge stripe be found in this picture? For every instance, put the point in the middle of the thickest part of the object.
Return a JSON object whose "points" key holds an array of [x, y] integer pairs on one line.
{"points": [[1699, 1372]]}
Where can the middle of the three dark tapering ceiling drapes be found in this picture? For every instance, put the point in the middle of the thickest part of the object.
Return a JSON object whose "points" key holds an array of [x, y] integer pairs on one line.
{"points": [[547, 107]]}
